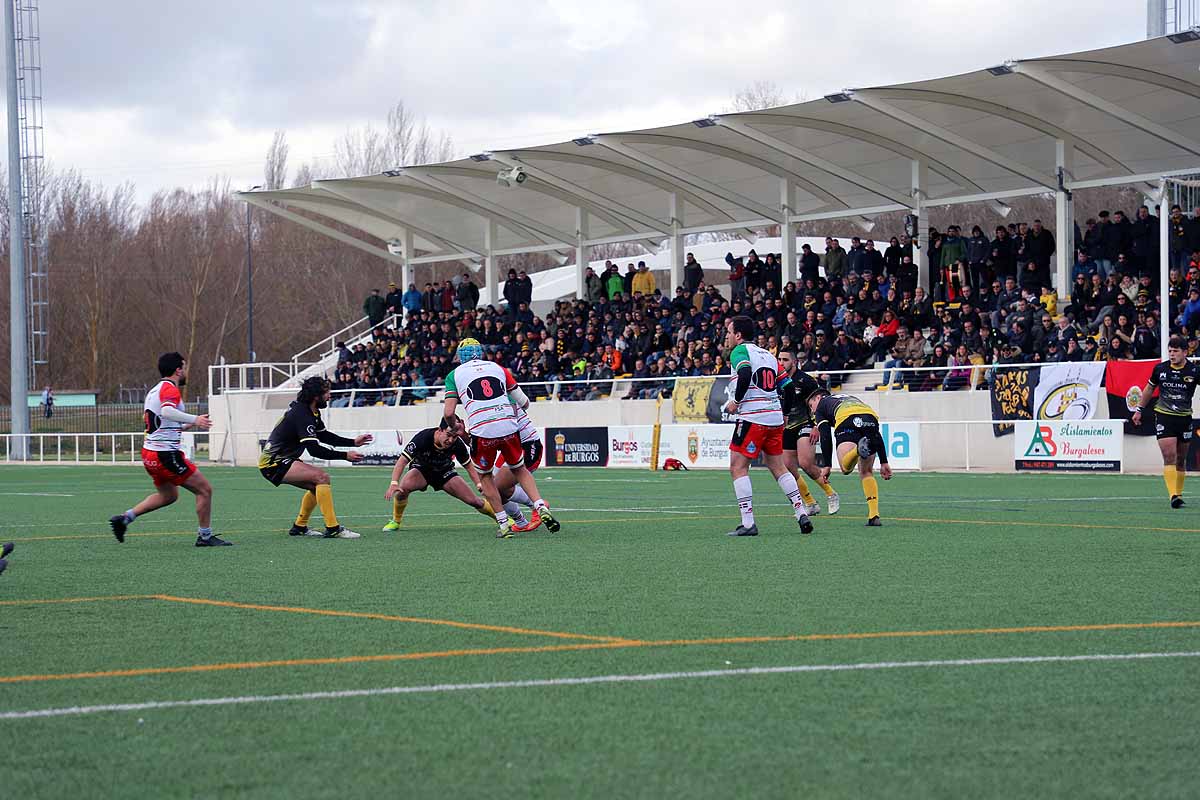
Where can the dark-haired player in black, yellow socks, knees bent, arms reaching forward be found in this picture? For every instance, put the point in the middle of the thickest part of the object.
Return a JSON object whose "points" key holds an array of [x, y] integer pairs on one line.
{"points": [[302, 430]]}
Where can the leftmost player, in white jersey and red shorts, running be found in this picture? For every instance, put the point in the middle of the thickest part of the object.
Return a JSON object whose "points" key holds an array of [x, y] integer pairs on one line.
{"points": [[163, 455]]}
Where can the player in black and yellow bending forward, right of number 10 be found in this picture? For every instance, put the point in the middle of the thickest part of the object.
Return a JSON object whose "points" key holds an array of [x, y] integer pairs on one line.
{"points": [[850, 429]]}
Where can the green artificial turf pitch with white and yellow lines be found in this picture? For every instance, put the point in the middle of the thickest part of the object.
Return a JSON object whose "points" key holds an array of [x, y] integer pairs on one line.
{"points": [[644, 570]]}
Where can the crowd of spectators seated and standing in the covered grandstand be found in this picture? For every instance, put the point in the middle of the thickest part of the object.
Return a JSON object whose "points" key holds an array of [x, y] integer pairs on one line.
{"points": [[991, 302]]}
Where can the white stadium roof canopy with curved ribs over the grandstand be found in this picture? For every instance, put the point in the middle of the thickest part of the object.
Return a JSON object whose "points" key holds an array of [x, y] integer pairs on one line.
{"points": [[1126, 115]]}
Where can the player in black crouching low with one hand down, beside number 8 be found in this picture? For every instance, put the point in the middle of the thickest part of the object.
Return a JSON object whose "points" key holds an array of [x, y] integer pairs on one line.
{"points": [[431, 455]]}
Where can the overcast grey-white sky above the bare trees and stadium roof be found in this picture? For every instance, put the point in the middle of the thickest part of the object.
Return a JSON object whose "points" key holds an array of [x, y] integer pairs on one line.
{"points": [[171, 93]]}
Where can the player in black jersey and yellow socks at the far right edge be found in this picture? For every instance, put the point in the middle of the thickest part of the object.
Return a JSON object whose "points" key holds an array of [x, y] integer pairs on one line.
{"points": [[1175, 381]]}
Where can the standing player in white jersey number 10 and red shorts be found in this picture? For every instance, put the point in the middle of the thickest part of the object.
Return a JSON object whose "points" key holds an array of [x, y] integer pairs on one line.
{"points": [[760, 424]]}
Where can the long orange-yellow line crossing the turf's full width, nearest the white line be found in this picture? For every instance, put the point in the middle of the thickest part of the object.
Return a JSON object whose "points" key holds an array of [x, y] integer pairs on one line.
{"points": [[592, 646]]}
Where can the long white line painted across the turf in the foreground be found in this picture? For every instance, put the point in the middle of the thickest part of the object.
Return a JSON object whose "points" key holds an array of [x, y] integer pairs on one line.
{"points": [[437, 689]]}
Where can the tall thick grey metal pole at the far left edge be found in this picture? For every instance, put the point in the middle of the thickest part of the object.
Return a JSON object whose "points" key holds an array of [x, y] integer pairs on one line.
{"points": [[17, 310]]}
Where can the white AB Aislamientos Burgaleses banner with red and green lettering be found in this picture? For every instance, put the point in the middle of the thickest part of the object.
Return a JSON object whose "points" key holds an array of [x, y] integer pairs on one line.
{"points": [[1090, 446]]}
